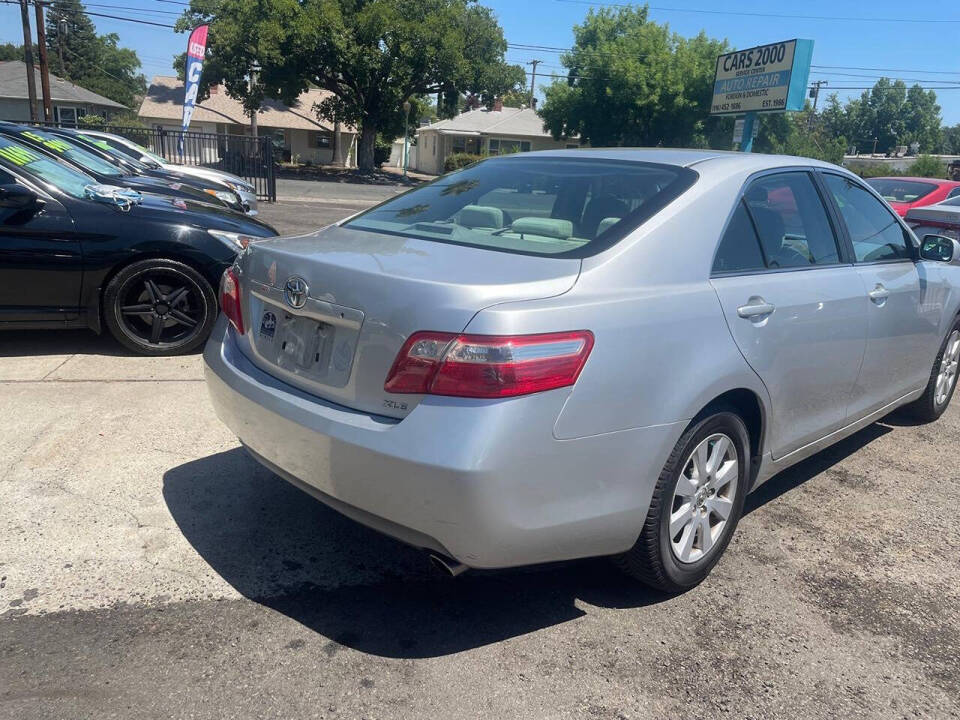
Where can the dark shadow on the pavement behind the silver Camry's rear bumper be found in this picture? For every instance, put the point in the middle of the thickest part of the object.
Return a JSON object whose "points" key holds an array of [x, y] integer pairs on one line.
{"points": [[282, 548]]}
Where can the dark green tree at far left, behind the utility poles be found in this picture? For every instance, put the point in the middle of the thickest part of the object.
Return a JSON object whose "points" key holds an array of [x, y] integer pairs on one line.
{"points": [[96, 62]]}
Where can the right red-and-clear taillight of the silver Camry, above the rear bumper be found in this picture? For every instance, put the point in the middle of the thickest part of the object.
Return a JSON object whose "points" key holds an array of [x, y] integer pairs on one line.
{"points": [[488, 366]]}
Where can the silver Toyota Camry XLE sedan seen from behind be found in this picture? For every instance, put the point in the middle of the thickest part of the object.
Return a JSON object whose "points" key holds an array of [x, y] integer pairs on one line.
{"points": [[564, 354]]}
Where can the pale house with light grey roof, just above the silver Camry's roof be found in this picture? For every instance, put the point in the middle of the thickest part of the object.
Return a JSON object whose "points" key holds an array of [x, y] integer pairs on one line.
{"points": [[482, 132]]}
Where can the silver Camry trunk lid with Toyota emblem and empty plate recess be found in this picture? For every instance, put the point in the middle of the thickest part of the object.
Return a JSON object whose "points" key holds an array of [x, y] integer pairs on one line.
{"points": [[328, 312]]}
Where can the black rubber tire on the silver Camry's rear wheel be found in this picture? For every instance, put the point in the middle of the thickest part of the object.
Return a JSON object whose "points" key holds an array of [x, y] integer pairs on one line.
{"points": [[652, 559]]}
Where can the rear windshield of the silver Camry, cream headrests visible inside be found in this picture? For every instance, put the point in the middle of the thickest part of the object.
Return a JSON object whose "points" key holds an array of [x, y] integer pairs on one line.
{"points": [[561, 206]]}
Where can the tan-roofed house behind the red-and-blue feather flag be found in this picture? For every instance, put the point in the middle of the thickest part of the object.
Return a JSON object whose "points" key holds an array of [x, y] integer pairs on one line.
{"points": [[296, 128]]}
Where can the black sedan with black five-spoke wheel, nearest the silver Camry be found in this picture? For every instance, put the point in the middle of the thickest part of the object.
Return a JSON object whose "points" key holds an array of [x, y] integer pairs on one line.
{"points": [[75, 253]]}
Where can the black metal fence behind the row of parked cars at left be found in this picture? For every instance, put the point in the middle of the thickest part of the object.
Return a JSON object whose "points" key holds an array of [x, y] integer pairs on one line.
{"points": [[251, 158]]}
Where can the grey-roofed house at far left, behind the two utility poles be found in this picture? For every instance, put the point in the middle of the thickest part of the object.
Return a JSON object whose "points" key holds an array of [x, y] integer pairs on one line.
{"points": [[69, 101]]}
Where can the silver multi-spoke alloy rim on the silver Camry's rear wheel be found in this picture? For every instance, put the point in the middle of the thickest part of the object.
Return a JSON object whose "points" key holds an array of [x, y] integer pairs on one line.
{"points": [[703, 498]]}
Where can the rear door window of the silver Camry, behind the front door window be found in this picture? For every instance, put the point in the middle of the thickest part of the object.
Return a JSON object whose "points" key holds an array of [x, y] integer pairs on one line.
{"points": [[791, 221]]}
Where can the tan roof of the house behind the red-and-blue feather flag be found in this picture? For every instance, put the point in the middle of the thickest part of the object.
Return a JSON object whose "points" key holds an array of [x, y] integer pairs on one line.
{"points": [[164, 100]]}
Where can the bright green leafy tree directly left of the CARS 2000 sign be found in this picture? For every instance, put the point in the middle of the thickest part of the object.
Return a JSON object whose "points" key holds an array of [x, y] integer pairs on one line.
{"points": [[634, 82]]}
